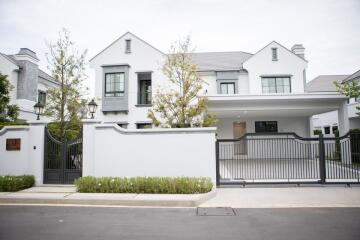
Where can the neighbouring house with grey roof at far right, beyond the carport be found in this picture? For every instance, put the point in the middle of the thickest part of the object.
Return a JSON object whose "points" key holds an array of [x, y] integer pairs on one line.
{"points": [[328, 122]]}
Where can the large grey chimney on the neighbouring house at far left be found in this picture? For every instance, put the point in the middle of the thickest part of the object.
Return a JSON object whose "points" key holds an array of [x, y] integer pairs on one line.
{"points": [[28, 75]]}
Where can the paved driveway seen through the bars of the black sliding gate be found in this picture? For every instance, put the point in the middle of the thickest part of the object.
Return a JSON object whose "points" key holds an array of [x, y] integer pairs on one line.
{"points": [[277, 169]]}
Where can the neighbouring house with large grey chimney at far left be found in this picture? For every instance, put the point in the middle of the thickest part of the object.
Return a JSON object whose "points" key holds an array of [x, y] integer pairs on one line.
{"points": [[30, 83]]}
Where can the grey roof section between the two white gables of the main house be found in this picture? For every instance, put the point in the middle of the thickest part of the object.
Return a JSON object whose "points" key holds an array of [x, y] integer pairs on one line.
{"points": [[220, 61]]}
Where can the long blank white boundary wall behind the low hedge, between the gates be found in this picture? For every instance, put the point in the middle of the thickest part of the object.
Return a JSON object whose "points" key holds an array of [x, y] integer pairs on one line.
{"points": [[113, 151]]}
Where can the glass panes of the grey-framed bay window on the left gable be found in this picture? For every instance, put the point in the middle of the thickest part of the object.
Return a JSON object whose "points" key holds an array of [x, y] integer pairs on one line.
{"points": [[114, 84]]}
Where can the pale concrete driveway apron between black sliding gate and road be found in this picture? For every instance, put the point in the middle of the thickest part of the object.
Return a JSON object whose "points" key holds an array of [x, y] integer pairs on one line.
{"points": [[286, 197]]}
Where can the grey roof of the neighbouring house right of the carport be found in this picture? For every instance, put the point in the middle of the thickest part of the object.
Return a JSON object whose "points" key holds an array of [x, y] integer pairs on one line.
{"points": [[324, 83]]}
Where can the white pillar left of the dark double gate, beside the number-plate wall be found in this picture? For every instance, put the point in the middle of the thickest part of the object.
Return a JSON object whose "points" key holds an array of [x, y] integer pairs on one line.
{"points": [[36, 150]]}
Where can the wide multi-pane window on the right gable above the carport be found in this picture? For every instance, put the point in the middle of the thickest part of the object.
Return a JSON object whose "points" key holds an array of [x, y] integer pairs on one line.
{"points": [[276, 85]]}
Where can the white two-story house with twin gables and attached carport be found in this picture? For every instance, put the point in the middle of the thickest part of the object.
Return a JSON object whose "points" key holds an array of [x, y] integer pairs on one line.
{"points": [[260, 92]]}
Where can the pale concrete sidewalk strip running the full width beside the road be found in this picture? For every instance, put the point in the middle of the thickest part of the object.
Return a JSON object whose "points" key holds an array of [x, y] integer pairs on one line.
{"points": [[249, 197]]}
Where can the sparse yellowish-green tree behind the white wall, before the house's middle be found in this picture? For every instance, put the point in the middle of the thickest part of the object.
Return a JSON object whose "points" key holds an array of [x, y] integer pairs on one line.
{"points": [[183, 104]]}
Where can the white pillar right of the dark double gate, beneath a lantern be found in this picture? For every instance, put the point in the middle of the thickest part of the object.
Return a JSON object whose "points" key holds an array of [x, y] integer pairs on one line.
{"points": [[89, 146]]}
